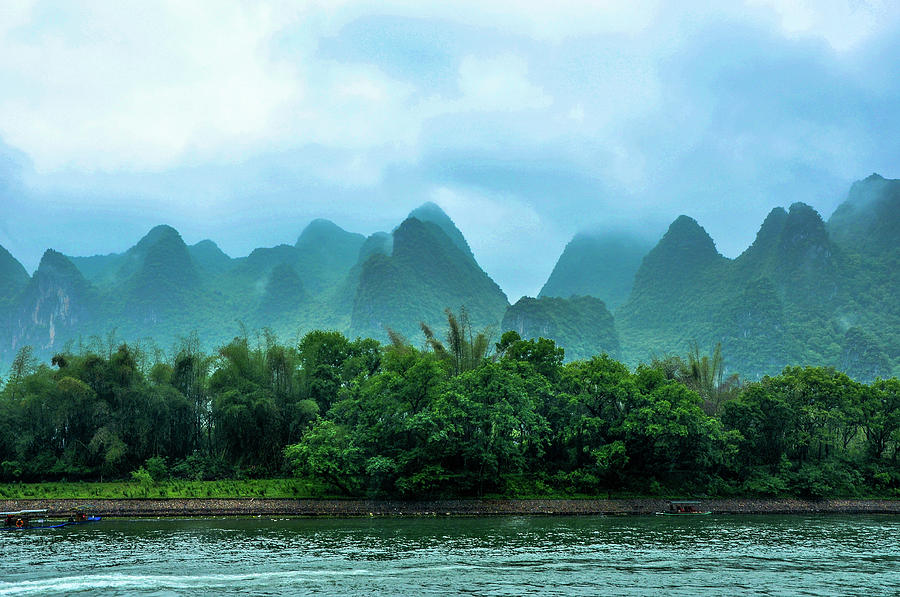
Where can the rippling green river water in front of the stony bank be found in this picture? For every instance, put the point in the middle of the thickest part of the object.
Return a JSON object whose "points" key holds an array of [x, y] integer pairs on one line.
{"points": [[709, 555]]}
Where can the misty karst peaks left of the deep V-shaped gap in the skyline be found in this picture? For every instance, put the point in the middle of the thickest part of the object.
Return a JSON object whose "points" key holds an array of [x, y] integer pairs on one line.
{"points": [[160, 288]]}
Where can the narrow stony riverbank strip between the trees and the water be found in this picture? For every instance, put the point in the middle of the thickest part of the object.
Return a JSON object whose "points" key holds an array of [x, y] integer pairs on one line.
{"points": [[137, 508]]}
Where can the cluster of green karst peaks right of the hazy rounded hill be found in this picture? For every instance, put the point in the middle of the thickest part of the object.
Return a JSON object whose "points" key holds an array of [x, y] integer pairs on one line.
{"points": [[803, 292]]}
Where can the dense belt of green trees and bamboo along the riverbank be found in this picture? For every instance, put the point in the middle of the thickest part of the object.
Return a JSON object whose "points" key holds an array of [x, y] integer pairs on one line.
{"points": [[459, 416]]}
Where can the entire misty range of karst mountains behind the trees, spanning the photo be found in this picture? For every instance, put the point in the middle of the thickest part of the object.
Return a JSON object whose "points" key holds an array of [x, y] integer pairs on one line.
{"points": [[805, 292]]}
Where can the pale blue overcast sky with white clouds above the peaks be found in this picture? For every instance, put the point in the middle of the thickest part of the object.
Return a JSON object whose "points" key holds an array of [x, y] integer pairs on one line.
{"points": [[525, 120]]}
